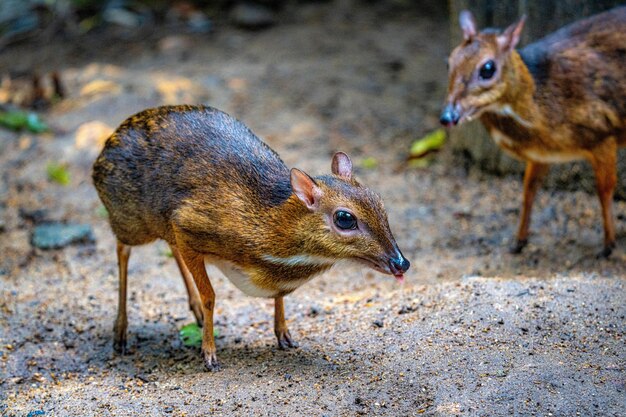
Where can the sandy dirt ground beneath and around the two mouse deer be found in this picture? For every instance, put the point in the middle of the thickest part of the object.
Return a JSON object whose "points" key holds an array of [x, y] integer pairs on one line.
{"points": [[473, 331]]}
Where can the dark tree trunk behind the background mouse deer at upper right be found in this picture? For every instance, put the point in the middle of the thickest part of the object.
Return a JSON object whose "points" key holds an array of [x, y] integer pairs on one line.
{"points": [[543, 17]]}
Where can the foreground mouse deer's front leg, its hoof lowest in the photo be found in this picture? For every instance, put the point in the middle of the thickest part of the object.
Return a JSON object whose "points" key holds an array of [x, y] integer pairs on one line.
{"points": [[195, 263]]}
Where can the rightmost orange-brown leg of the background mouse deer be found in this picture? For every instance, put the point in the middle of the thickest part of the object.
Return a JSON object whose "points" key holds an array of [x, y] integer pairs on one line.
{"points": [[604, 162]]}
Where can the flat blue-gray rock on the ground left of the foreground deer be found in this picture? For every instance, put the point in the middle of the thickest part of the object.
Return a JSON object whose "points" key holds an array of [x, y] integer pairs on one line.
{"points": [[59, 235]]}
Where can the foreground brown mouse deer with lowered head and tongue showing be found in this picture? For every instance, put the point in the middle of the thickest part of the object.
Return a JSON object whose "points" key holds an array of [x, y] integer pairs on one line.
{"points": [[203, 182]]}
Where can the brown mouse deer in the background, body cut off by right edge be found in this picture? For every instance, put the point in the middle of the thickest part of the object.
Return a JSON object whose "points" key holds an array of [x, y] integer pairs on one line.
{"points": [[560, 99]]}
